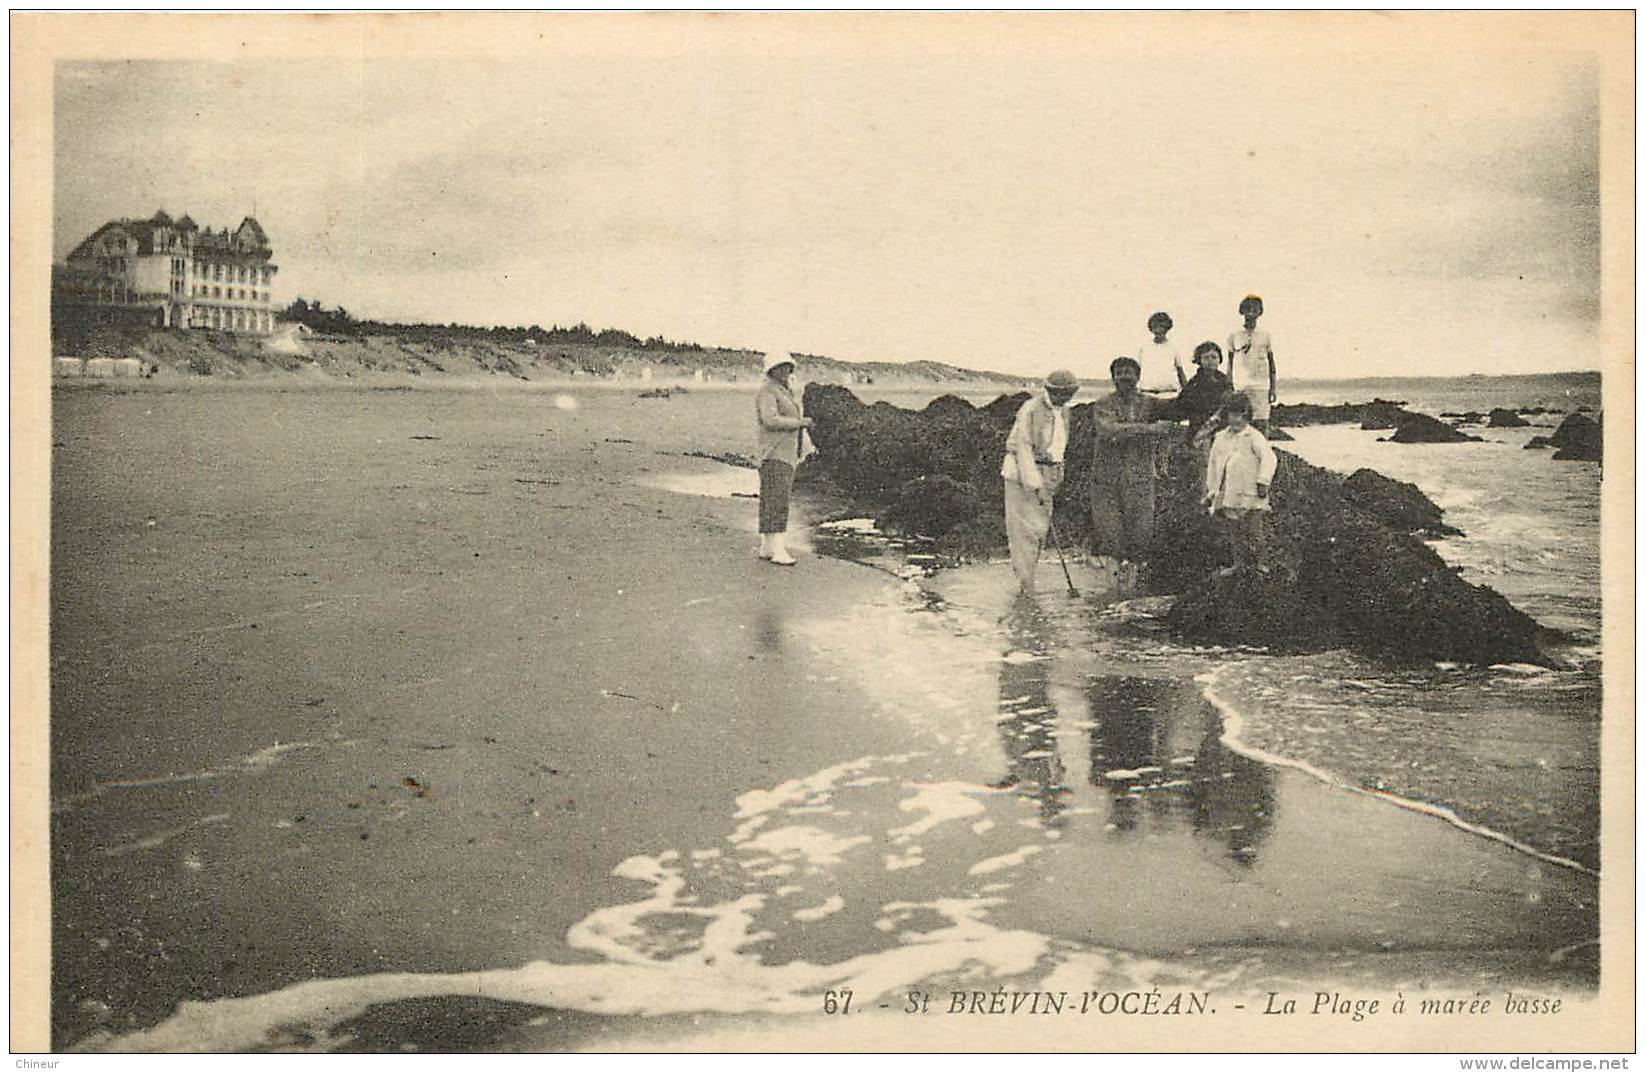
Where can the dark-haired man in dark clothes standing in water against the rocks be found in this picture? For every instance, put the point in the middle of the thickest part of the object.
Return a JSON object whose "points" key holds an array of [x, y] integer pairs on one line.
{"points": [[1126, 467]]}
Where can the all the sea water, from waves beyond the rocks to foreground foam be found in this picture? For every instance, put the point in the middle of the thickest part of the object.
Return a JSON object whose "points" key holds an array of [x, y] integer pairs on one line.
{"points": [[1088, 807]]}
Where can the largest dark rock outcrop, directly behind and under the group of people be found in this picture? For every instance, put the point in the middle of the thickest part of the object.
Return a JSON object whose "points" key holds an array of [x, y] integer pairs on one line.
{"points": [[1346, 570]]}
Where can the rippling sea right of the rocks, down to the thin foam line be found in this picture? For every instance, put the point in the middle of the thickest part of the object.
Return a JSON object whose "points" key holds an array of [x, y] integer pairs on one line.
{"points": [[1513, 748]]}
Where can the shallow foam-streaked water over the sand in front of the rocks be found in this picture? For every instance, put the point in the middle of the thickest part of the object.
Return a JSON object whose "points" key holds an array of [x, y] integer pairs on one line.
{"points": [[1065, 817]]}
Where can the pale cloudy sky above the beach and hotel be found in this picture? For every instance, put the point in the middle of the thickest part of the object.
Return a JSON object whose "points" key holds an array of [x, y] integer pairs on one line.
{"points": [[1402, 210]]}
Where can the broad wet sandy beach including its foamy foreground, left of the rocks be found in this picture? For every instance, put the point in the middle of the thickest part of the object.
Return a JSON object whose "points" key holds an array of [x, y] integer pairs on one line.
{"points": [[353, 684]]}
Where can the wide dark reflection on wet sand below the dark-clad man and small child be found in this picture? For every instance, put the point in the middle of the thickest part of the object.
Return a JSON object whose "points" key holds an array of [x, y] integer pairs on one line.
{"points": [[1157, 745]]}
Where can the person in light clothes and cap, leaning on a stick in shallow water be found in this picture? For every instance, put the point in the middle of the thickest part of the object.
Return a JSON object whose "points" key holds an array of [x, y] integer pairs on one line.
{"points": [[1034, 471]]}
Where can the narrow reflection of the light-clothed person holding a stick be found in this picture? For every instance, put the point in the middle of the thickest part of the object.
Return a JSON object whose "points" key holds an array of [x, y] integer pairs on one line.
{"points": [[1029, 717]]}
